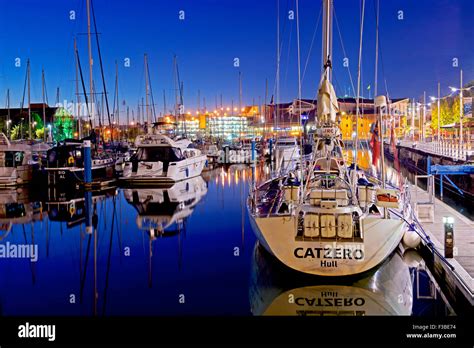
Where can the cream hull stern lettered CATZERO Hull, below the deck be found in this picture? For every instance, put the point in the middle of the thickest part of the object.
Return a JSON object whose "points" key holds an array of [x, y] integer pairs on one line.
{"points": [[329, 257]]}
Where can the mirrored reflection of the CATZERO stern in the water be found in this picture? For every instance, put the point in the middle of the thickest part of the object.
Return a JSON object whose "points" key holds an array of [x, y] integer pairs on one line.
{"points": [[277, 290]]}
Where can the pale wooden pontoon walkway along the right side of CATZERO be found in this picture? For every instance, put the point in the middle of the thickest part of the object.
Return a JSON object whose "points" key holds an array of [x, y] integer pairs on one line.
{"points": [[461, 274]]}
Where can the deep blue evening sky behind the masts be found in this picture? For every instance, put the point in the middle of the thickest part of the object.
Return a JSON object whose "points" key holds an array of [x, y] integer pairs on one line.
{"points": [[416, 52]]}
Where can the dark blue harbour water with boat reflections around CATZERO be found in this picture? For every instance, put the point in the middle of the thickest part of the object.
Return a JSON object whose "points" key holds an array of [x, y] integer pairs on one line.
{"points": [[188, 250]]}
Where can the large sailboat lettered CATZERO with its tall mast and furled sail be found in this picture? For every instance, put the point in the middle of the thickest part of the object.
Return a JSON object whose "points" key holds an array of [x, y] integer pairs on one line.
{"points": [[328, 219]]}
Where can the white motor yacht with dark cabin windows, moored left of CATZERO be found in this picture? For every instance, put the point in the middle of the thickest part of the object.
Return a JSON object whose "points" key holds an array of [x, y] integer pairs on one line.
{"points": [[162, 160]]}
